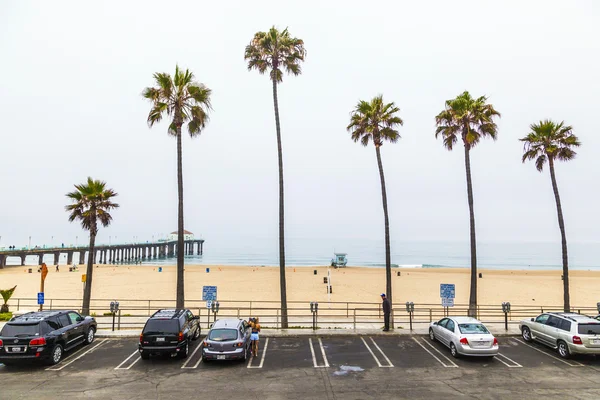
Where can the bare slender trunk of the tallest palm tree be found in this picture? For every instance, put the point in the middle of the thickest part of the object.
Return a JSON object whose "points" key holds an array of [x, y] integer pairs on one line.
{"points": [[284, 316]]}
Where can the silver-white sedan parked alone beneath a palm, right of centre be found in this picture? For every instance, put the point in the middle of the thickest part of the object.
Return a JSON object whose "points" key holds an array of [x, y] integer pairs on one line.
{"points": [[464, 336]]}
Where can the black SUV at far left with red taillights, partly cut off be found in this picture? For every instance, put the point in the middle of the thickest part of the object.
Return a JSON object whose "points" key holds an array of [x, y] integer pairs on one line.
{"points": [[44, 335]]}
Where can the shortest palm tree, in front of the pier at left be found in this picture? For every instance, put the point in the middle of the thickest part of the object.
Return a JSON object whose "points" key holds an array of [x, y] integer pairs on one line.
{"points": [[91, 203]]}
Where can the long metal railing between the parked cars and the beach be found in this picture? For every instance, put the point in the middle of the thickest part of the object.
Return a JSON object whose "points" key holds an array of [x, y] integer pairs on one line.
{"points": [[133, 314]]}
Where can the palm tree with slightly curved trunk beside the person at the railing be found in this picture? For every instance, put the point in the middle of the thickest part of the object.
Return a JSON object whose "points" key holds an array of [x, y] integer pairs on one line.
{"points": [[377, 121]]}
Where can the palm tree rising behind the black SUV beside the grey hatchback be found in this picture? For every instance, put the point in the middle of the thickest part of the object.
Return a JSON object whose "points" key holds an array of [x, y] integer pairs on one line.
{"points": [[183, 100]]}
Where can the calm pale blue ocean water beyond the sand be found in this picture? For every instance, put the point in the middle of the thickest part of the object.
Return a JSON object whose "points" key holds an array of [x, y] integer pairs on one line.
{"points": [[371, 253]]}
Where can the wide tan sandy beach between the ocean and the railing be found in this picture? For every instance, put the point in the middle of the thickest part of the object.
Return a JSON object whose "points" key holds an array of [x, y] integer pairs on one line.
{"points": [[354, 284]]}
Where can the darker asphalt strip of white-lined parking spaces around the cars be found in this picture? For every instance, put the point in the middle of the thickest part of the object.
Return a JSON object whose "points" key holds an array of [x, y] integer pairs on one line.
{"points": [[331, 353]]}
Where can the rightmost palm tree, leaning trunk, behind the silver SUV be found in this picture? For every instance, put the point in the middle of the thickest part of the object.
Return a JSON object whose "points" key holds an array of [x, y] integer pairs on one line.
{"points": [[549, 141]]}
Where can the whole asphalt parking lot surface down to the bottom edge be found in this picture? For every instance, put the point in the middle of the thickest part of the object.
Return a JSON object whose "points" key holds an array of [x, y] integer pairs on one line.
{"points": [[310, 367]]}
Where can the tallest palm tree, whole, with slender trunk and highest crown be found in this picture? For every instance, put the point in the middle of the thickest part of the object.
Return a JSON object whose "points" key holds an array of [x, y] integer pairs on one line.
{"points": [[276, 51]]}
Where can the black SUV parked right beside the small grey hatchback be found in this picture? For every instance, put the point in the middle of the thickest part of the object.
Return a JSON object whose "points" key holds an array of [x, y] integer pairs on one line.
{"points": [[169, 332]]}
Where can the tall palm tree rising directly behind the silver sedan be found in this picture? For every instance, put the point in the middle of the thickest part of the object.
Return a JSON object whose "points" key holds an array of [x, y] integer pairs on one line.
{"points": [[471, 120]]}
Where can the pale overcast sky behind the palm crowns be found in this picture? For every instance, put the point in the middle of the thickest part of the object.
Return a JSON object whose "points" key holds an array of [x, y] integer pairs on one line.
{"points": [[72, 74]]}
